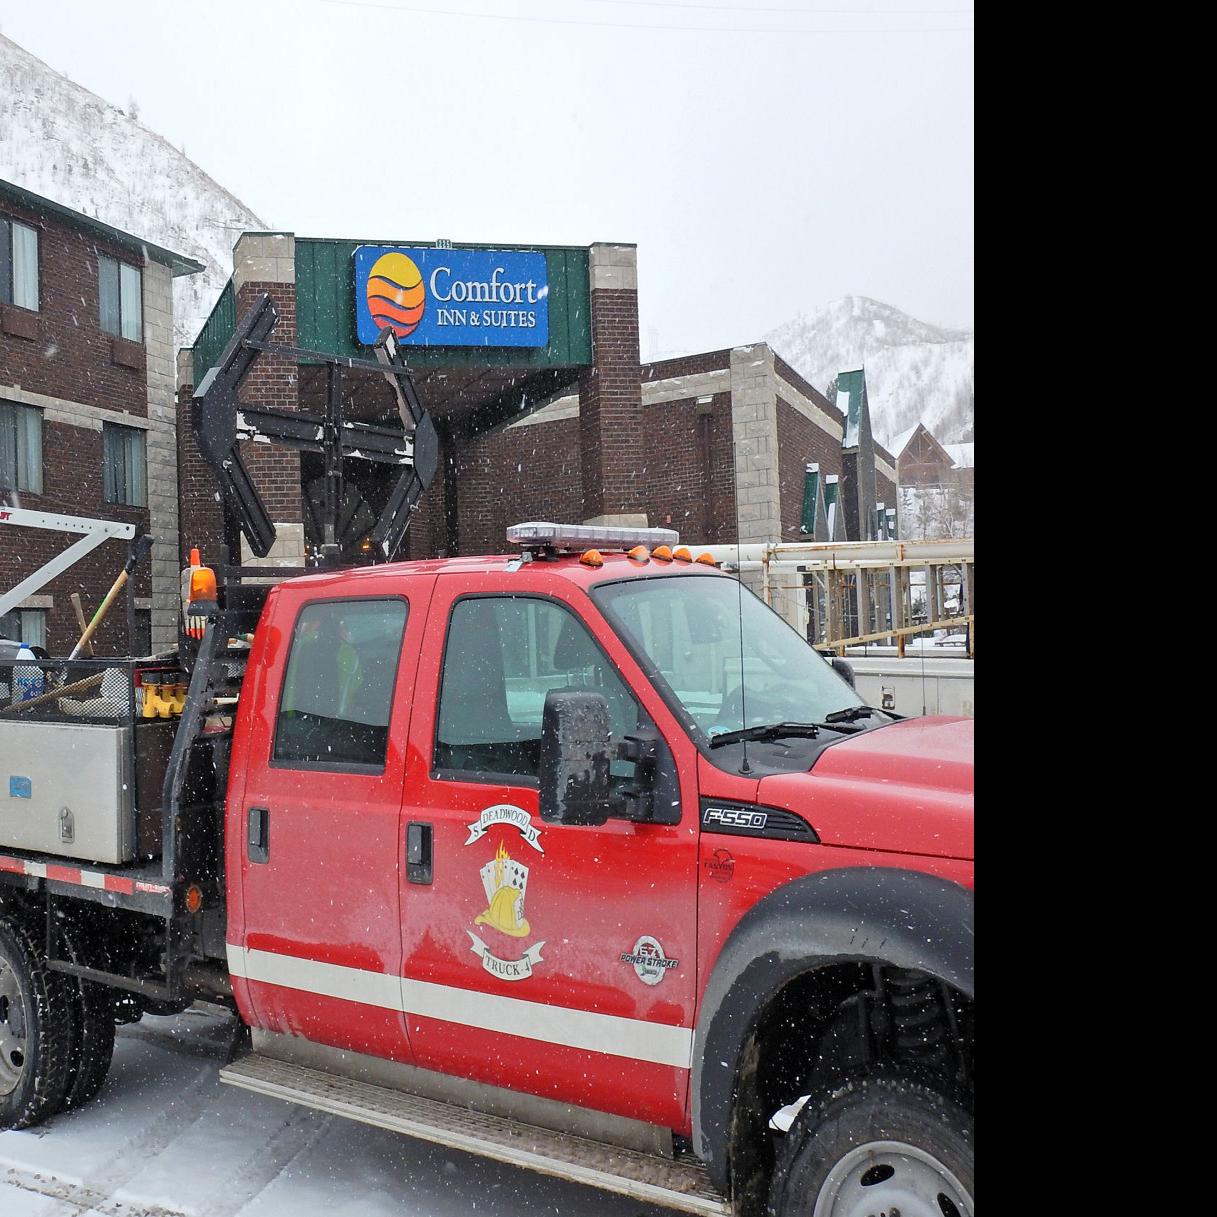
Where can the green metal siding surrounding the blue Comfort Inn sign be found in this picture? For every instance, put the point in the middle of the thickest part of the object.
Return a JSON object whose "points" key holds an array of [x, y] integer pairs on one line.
{"points": [[326, 311]]}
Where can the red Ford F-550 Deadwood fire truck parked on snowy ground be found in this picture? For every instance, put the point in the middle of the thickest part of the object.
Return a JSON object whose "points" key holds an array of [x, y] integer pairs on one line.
{"points": [[579, 859]]}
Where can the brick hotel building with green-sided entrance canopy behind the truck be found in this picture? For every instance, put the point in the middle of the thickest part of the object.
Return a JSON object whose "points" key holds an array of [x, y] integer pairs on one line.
{"points": [[574, 428]]}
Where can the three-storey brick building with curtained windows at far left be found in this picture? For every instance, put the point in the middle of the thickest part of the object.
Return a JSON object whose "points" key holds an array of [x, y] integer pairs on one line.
{"points": [[87, 416]]}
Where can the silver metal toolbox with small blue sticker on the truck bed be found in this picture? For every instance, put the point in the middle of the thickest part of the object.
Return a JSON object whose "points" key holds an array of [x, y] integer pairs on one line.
{"points": [[69, 789]]}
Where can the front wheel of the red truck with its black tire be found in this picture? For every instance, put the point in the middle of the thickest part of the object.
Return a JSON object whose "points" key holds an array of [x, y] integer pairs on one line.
{"points": [[878, 1145]]}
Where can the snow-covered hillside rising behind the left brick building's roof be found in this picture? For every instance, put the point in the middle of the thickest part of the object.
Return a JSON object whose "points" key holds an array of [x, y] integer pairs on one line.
{"points": [[68, 144]]}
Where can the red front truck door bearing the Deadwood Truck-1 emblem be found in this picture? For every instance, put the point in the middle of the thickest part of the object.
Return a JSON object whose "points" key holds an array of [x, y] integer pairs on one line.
{"points": [[553, 960]]}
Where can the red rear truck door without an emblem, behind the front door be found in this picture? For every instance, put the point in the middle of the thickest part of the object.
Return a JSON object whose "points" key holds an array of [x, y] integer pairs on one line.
{"points": [[313, 840]]}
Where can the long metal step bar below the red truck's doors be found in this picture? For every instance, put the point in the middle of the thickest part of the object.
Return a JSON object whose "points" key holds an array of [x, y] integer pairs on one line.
{"points": [[683, 1186]]}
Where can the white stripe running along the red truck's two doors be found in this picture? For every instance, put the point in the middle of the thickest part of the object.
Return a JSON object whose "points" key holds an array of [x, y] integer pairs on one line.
{"points": [[632, 1039]]}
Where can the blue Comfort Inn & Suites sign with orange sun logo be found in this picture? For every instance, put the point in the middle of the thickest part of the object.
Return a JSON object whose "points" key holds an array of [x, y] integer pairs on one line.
{"points": [[452, 298]]}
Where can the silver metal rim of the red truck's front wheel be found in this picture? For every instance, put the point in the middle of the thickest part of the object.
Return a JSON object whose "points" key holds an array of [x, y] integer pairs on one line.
{"points": [[887, 1177]]}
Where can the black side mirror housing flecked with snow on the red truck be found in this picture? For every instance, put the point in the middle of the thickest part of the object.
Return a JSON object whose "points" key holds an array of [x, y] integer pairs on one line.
{"points": [[575, 754]]}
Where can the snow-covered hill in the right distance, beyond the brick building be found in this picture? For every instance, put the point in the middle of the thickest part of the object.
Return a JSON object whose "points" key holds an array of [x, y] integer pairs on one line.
{"points": [[916, 372]]}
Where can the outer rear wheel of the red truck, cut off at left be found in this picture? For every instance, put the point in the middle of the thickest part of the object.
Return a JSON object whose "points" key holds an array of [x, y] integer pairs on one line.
{"points": [[36, 1033]]}
